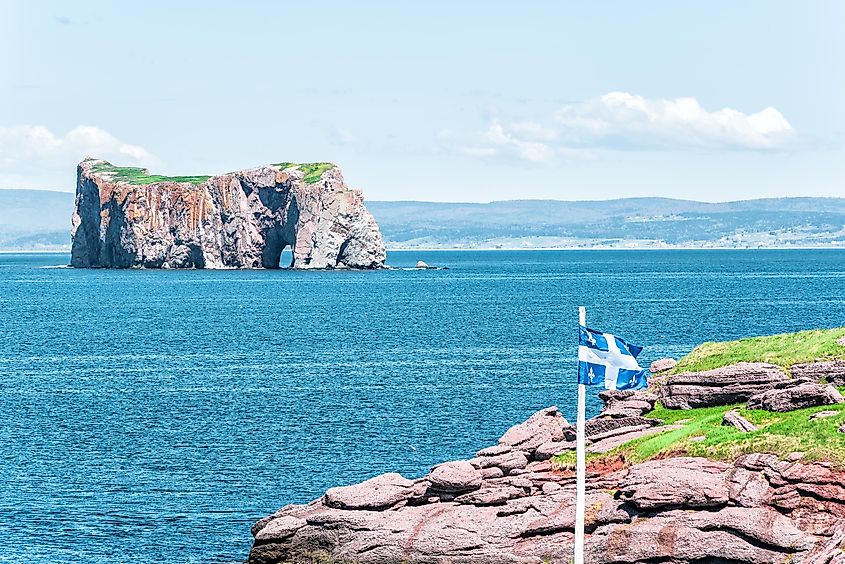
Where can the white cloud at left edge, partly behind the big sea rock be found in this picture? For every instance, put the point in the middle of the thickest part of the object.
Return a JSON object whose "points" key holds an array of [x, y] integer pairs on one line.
{"points": [[32, 155]]}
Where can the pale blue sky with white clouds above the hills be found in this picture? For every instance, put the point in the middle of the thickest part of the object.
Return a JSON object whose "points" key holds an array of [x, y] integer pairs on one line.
{"points": [[435, 101]]}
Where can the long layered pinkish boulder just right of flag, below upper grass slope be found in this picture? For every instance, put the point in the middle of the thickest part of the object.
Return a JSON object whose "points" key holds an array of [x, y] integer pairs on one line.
{"points": [[722, 386]]}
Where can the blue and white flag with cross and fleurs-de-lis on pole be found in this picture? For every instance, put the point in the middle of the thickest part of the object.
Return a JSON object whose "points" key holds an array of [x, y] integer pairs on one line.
{"points": [[606, 359]]}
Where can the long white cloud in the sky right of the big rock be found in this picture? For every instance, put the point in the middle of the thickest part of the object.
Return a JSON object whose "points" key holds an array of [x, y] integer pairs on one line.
{"points": [[622, 121]]}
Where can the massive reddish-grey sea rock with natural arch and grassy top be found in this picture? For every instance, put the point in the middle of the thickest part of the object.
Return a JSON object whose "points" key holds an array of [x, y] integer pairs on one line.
{"points": [[126, 218]]}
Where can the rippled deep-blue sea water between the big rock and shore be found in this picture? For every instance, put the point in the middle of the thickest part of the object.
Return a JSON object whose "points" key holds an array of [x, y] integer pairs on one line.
{"points": [[150, 416]]}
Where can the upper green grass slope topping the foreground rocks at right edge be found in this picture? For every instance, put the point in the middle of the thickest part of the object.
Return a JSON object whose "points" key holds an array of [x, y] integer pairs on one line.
{"points": [[783, 350]]}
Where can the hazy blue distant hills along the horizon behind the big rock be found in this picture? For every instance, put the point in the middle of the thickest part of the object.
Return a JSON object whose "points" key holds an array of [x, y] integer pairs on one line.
{"points": [[40, 220]]}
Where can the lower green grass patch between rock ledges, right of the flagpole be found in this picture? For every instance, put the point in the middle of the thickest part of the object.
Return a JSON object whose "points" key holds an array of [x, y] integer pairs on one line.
{"points": [[702, 434]]}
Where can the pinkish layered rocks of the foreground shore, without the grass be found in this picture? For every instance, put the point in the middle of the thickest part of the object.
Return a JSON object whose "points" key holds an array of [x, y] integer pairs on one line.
{"points": [[511, 504]]}
